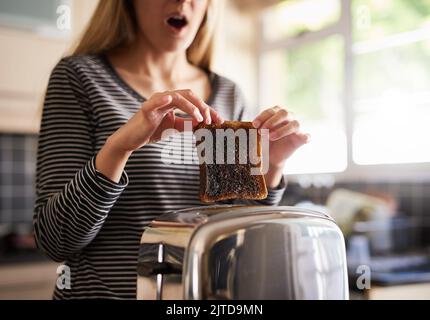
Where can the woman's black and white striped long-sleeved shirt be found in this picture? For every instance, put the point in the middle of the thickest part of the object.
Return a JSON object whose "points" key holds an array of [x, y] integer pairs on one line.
{"points": [[82, 218]]}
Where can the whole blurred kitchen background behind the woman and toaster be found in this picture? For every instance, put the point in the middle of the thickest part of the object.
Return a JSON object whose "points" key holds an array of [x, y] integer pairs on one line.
{"points": [[355, 72]]}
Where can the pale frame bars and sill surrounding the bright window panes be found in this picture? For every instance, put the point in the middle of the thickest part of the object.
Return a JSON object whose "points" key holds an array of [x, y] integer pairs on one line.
{"points": [[343, 27]]}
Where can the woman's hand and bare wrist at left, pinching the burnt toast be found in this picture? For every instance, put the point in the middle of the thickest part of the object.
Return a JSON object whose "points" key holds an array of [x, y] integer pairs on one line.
{"points": [[147, 126]]}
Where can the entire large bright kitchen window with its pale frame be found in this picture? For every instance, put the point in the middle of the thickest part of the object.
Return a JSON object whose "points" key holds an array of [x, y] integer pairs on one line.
{"points": [[357, 73]]}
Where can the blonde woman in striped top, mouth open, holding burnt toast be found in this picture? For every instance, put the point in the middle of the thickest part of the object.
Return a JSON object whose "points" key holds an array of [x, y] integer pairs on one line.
{"points": [[100, 179]]}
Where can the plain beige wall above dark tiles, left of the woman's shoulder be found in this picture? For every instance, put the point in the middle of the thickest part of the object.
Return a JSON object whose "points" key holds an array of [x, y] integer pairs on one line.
{"points": [[26, 60]]}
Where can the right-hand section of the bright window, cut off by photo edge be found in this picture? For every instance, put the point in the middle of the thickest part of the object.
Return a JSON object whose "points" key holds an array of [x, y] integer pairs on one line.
{"points": [[391, 81]]}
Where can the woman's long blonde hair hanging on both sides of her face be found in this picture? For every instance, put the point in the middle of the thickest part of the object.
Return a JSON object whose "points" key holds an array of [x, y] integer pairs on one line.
{"points": [[113, 24]]}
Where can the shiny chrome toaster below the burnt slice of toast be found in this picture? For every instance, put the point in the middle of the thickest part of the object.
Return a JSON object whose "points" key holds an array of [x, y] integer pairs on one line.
{"points": [[242, 252]]}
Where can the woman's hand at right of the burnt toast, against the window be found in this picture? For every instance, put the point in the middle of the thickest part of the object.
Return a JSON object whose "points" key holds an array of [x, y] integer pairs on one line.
{"points": [[284, 134]]}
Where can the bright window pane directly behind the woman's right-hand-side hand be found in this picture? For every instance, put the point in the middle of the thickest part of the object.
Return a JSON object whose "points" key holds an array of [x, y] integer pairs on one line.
{"points": [[297, 79]]}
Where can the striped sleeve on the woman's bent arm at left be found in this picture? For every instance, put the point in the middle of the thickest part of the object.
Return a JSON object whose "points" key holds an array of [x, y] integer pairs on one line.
{"points": [[73, 199]]}
